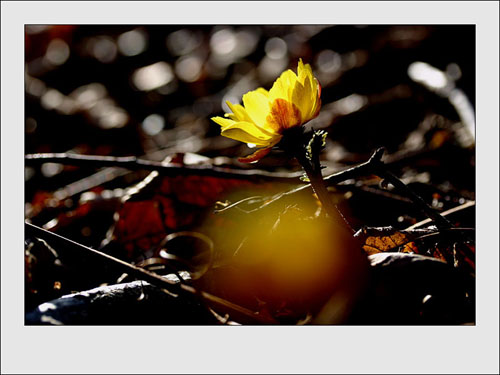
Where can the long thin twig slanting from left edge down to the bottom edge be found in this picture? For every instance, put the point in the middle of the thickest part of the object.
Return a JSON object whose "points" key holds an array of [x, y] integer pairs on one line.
{"points": [[63, 243]]}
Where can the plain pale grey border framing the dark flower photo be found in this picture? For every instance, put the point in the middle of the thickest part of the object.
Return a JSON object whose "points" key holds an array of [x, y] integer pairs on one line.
{"points": [[249, 349]]}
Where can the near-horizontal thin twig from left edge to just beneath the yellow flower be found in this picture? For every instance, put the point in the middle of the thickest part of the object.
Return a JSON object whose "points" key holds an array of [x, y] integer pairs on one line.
{"points": [[166, 169]]}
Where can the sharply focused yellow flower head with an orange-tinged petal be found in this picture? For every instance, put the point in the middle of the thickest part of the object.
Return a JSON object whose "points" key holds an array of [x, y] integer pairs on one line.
{"points": [[293, 100]]}
